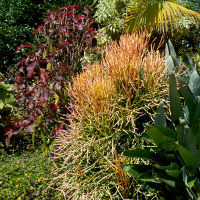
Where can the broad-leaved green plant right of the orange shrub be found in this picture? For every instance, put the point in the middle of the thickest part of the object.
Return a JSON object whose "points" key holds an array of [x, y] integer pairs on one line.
{"points": [[174, 161]]}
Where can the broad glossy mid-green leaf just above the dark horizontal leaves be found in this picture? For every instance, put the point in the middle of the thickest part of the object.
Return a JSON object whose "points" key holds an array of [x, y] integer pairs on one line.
{"points": [[163, 137]]}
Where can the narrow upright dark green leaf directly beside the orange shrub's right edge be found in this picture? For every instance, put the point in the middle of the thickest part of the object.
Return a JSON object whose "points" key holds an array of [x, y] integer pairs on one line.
{"points": [[175, 102]]}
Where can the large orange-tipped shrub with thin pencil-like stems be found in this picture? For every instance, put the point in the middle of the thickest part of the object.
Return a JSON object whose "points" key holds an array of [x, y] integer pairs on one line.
{"points": [[106, 102]]}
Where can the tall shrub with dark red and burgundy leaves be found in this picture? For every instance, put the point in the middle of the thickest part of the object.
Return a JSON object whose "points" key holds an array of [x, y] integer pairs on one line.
{"points": [[62, 38]]}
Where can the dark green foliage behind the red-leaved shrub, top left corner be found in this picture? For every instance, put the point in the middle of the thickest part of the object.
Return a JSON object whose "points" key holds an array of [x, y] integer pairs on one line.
{"points": [[18, 18]]}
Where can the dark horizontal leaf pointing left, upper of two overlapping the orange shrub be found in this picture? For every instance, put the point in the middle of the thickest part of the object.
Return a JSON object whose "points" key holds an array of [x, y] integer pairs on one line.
{"points": [[140, 153]]}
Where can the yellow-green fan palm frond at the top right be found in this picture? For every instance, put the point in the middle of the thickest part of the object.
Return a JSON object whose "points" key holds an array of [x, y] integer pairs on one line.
{"points": [[159, 14]]}
